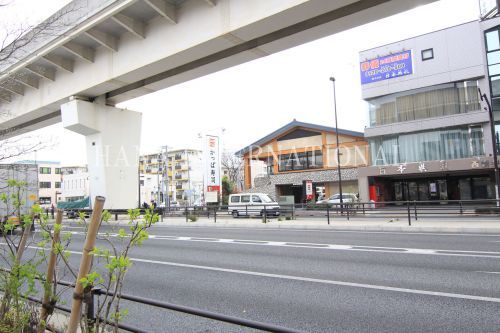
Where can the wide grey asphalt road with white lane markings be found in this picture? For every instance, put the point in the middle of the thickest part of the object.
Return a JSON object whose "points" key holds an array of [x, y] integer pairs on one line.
{"points": [[316, 281]]}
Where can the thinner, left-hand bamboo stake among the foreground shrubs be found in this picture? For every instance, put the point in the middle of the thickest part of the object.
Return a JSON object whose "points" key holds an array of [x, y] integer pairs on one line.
{"points": [[46, 307]]}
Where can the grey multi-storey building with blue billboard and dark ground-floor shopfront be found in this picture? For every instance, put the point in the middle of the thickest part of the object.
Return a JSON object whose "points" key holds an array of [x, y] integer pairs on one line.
{"points": [[430, 134]]}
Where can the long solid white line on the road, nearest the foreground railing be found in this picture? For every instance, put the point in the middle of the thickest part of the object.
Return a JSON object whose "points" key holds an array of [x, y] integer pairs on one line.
{"points": [[313, 280]]}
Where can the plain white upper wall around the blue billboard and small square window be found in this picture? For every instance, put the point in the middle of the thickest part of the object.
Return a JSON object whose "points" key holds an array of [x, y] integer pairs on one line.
{"points": [[458, 56]]}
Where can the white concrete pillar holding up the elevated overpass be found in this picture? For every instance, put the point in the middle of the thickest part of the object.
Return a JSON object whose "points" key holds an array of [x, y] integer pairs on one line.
{"points": [[113, 138]]}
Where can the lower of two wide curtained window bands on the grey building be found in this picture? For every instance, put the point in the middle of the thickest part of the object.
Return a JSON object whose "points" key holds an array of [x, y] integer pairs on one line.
{"points": [[444, 144]]}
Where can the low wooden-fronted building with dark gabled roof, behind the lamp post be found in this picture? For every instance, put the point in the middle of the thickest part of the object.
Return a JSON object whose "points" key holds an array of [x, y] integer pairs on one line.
{"points": [[299, 161]]}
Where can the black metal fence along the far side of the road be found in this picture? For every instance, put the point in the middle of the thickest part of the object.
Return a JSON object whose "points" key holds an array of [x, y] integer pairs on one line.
{"points": [[397, 210]]}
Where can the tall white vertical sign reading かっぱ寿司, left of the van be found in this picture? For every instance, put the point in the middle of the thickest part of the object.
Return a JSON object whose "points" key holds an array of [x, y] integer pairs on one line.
{"points": [[212, 169]]}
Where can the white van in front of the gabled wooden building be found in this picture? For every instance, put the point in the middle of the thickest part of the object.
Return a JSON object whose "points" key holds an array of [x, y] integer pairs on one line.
{"points": [[246, 204]]}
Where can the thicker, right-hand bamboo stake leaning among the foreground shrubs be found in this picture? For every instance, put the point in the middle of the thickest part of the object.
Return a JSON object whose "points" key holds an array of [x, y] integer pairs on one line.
{"points": [[85, 264]]}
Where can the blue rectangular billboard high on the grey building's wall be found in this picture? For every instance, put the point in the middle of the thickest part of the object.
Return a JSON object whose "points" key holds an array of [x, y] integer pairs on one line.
{"points": [[387, 67]]}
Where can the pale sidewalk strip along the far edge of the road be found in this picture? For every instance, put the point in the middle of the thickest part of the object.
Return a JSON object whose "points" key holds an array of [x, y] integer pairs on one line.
{"points": [[480, 224]]}
